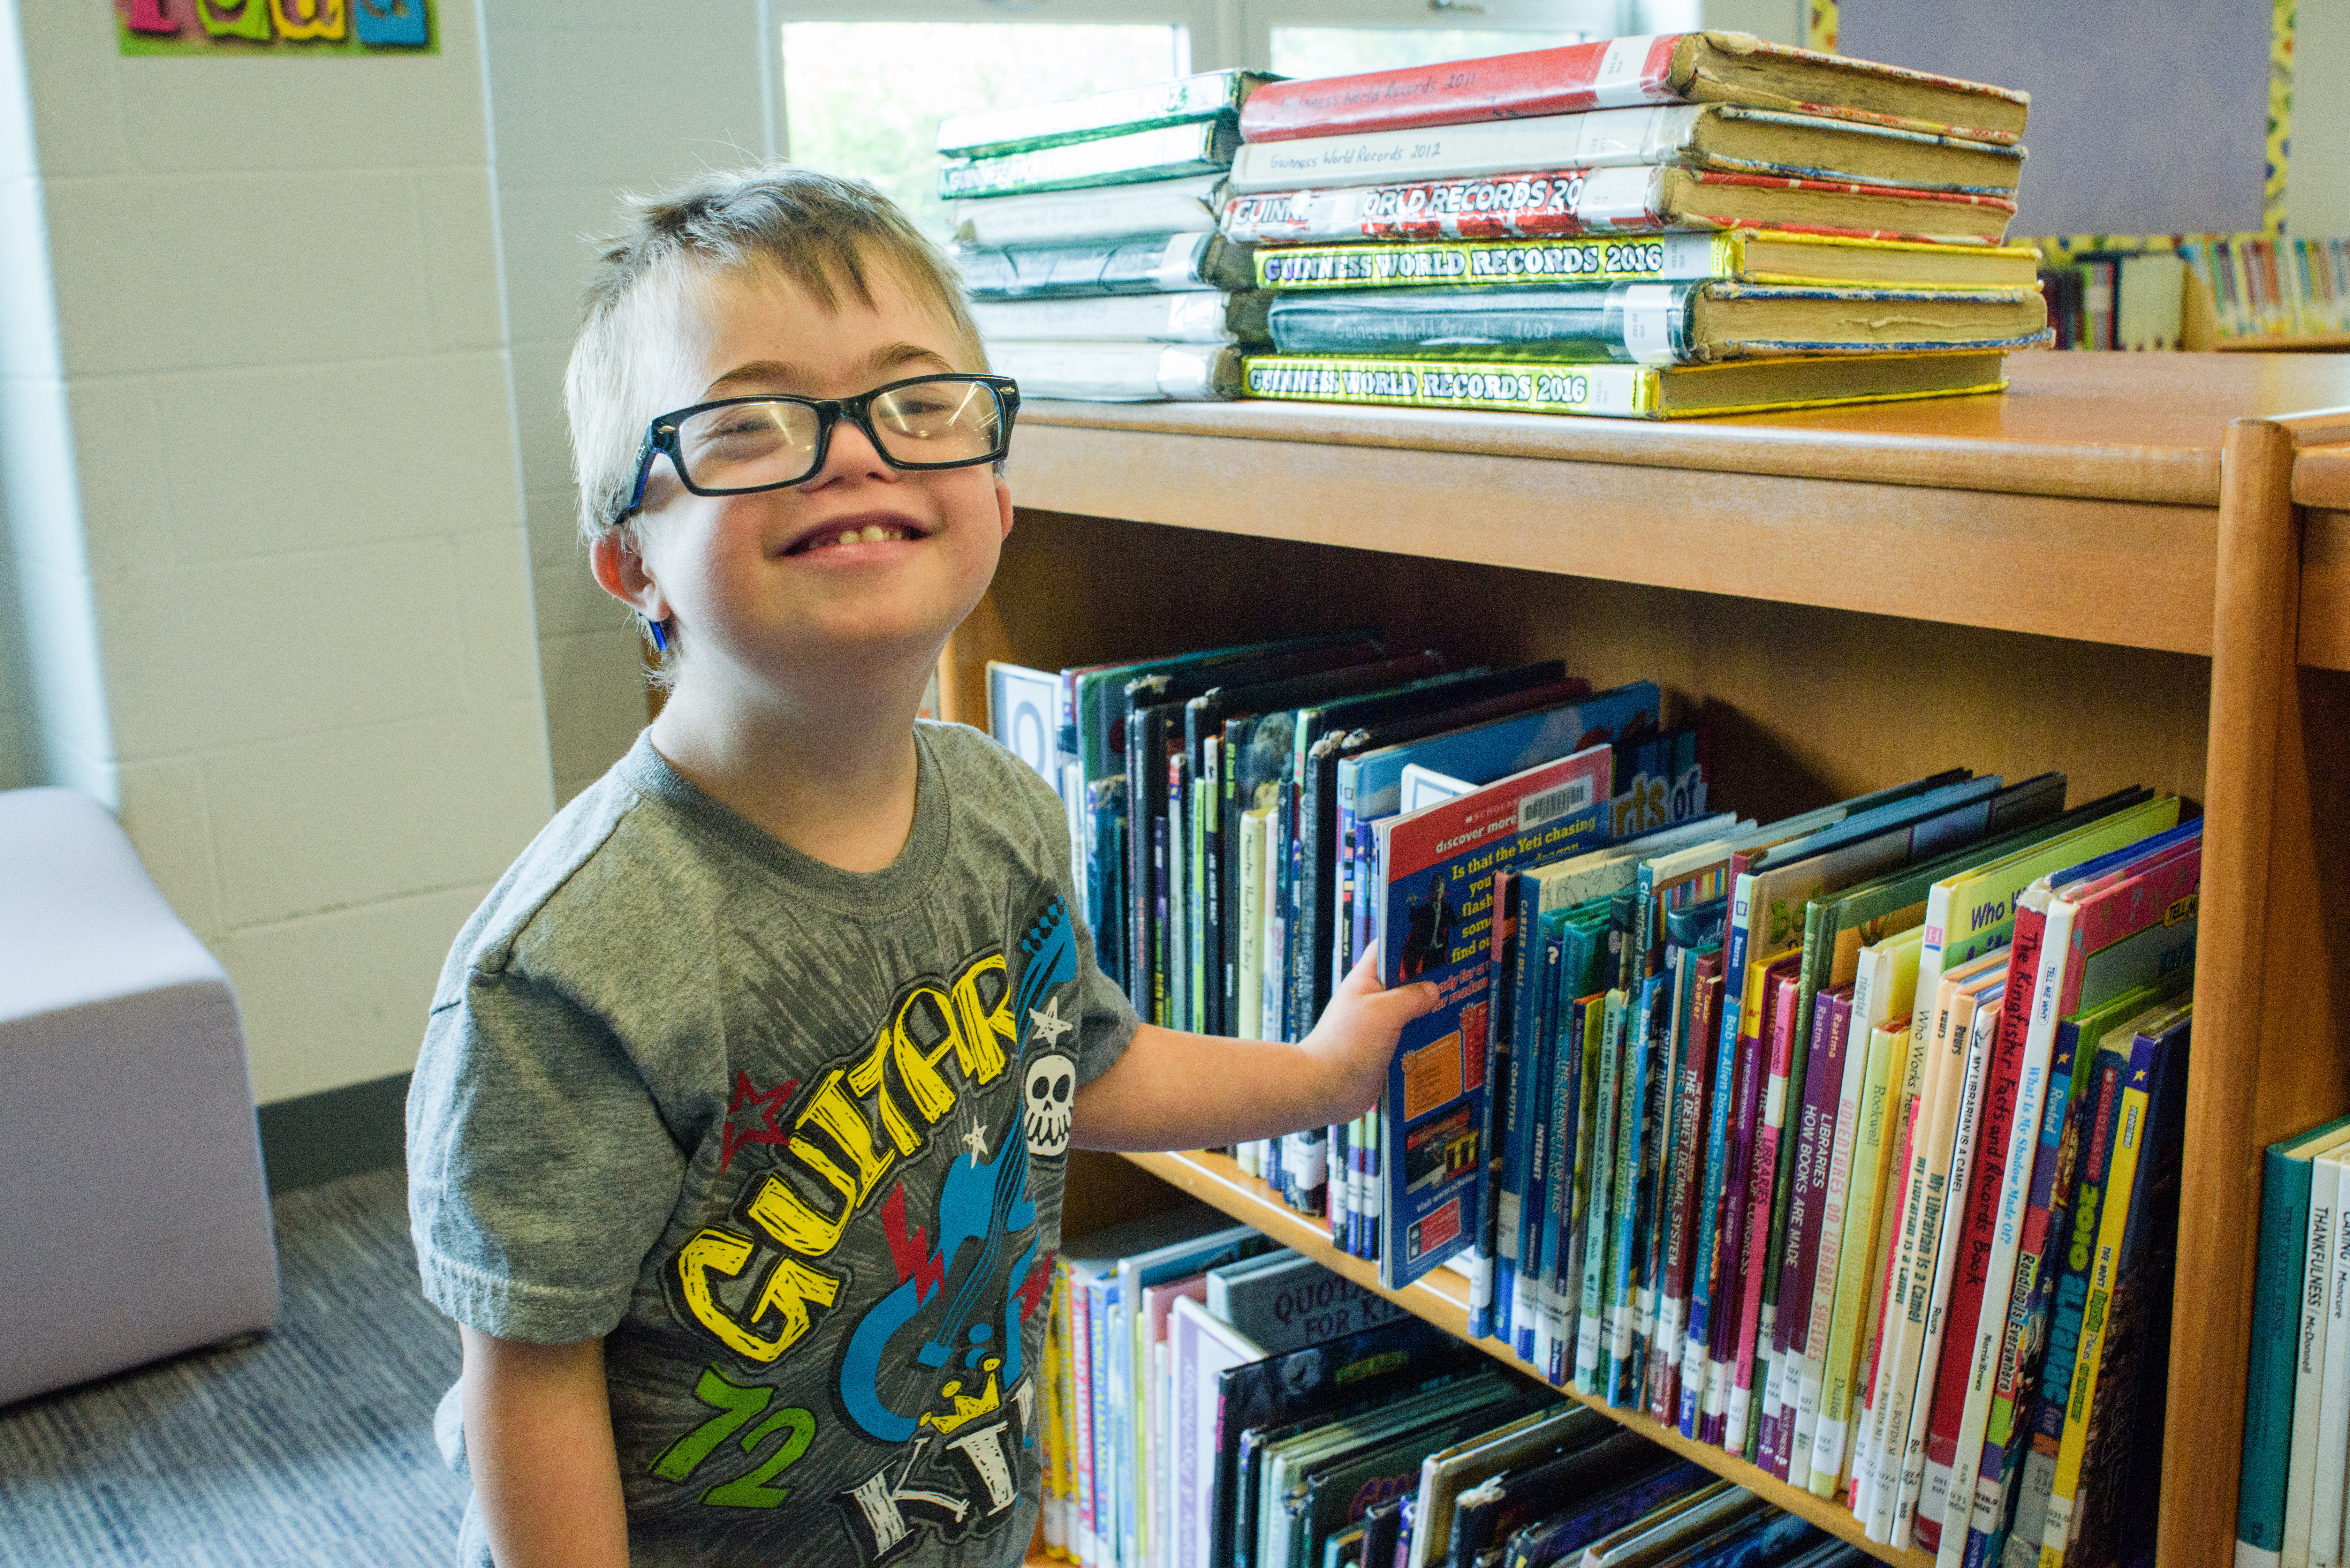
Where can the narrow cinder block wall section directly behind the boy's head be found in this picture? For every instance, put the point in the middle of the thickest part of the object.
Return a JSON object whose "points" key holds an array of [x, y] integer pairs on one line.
{"points": [[591, 100]]}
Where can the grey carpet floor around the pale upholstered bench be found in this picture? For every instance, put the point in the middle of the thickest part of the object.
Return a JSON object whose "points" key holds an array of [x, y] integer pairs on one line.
{"points": [[307, 1447]]}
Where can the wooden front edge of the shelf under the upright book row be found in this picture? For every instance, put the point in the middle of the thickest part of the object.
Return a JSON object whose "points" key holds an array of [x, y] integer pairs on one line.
{"points": [[1221, 1184]]}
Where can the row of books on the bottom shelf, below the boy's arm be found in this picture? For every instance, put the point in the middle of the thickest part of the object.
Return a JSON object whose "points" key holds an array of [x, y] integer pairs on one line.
{"points": [[1214, 1402]]}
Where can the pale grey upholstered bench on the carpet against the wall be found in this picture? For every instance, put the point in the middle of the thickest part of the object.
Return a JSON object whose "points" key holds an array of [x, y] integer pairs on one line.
{"points": [[133, 1209]]}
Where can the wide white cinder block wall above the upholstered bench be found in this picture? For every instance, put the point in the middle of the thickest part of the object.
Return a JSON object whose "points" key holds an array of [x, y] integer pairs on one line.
{"points": [[281, 441]]}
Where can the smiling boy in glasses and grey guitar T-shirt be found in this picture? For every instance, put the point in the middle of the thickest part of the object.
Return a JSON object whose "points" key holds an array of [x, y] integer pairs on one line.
{"points": [[739, 1132]]}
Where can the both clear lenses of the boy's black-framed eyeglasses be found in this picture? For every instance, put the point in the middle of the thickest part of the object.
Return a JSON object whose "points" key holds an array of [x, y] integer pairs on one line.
{"points": [[748, 445]]}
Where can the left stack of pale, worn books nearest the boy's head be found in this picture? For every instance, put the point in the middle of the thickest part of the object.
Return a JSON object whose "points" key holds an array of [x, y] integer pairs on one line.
{"points": [[1089, 246]]}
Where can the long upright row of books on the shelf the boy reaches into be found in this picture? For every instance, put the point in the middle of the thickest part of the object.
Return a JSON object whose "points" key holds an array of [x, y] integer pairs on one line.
{"points": [[1846, 1144]]}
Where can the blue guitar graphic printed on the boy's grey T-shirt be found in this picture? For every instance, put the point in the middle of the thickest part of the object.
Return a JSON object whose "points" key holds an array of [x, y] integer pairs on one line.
{"points": [[955, 1315]]}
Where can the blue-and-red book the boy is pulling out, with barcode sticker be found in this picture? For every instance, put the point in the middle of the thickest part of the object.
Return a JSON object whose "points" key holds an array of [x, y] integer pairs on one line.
{"points": [[1435, 925]]}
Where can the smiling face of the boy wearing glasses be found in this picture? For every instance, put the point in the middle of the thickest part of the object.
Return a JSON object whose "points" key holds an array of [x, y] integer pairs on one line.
{"points": [[760, 587]]}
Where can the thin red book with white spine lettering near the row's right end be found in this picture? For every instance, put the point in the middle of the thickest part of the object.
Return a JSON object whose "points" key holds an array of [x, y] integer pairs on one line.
{"points": [[1980, 1214]]}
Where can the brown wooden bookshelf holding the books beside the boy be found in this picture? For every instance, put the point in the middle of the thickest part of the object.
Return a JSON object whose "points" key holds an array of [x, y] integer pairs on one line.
{"points": [[2130, 568]]}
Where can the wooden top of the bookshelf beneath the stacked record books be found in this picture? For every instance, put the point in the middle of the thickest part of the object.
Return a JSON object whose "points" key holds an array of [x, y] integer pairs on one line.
{"points": [[2072, 424]]}
